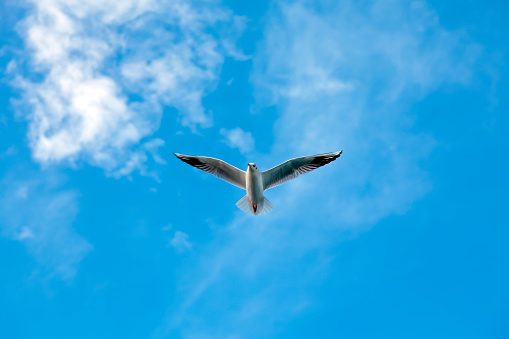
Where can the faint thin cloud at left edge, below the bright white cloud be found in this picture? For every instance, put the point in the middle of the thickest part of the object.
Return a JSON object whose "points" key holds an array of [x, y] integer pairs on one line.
{"points": [[39, 215]]}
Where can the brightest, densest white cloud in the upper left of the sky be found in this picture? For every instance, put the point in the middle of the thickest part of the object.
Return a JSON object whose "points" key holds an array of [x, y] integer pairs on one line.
{"points": [[100, 71]]}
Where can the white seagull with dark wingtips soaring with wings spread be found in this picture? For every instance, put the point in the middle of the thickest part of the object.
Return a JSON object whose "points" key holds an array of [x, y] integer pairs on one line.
{"points": [[256, 182]]}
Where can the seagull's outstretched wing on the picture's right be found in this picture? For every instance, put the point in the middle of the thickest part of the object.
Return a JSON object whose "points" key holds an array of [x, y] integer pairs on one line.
{"points": [[291, 169]]}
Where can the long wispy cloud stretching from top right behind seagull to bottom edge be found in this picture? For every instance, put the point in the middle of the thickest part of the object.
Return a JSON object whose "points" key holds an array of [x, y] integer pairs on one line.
{"points": [[349, 89]]}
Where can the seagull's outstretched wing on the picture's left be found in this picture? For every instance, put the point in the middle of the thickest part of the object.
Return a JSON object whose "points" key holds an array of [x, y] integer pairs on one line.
{"points": [[216, 167]]}
